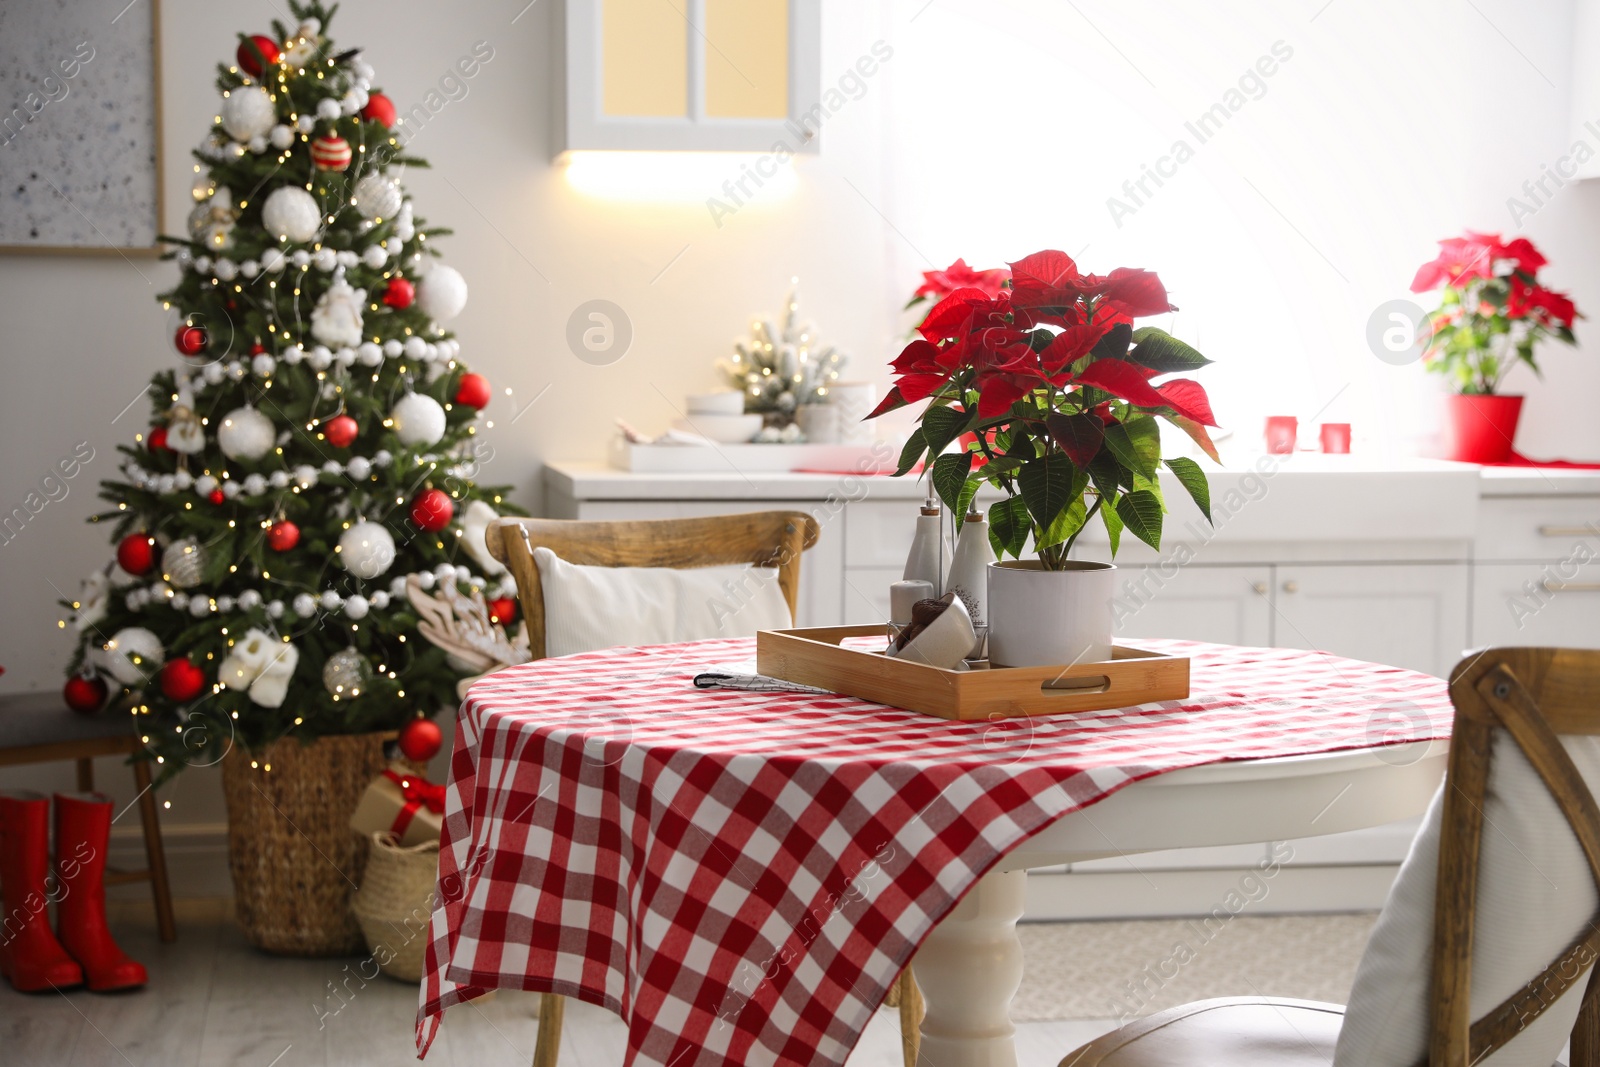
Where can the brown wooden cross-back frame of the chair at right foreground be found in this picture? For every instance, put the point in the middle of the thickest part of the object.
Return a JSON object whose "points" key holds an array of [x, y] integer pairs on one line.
{"points": [[1535, 695]]}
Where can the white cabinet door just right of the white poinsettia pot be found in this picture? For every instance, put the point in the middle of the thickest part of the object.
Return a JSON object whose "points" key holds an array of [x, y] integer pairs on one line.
{"points": [[1231, 605]]}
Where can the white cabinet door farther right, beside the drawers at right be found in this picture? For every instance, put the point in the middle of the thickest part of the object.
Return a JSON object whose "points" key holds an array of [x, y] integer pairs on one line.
{"points": [[1407, 615]]}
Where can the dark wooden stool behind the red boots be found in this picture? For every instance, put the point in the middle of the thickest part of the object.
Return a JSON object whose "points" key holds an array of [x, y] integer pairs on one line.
{"points": [[39, 729]]}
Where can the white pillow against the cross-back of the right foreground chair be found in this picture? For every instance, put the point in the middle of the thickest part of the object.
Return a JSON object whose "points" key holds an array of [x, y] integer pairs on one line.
{"points": [[1535, 897]]}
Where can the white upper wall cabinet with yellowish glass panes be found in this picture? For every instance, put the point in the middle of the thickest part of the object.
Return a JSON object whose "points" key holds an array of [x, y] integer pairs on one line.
{"points": [[713, 76]]}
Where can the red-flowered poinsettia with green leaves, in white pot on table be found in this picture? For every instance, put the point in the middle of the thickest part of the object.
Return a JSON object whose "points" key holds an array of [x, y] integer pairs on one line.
{"points": [[1049, 393]]}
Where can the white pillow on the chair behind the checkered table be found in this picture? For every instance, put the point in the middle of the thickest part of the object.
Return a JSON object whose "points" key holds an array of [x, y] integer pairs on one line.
{"points": [[604, 607]]}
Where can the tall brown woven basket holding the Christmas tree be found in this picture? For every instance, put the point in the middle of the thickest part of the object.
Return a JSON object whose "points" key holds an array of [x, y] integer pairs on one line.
{"points": [[290, 850]]}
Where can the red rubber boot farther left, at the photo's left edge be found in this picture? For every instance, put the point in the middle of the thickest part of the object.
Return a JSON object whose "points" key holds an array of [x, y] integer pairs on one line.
{"points": [[31, 957]]}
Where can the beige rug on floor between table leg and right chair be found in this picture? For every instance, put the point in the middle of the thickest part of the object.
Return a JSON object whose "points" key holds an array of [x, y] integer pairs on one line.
{"points": [[1132, 969]]}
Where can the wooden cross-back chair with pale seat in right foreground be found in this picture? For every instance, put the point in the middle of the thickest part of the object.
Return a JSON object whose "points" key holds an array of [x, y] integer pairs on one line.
{"points": [[1534, 695]]}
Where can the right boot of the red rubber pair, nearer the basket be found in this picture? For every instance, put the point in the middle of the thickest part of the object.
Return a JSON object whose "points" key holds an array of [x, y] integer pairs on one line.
{"points": [[82, 839]]}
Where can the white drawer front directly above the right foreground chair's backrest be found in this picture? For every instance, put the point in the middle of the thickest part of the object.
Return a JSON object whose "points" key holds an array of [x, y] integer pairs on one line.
{"points": [[1537, 604]]}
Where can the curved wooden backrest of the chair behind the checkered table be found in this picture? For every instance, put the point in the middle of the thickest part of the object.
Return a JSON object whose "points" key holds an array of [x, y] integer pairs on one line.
{"points": [[761, 538]]}
